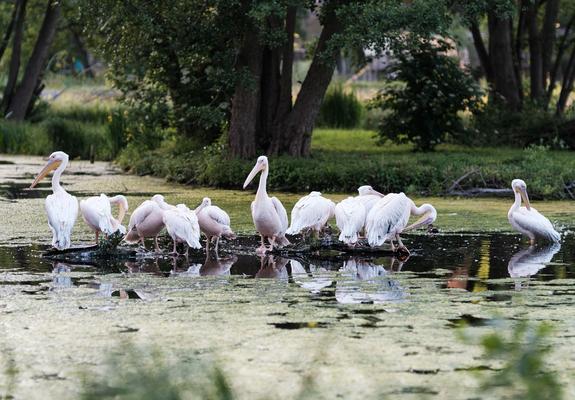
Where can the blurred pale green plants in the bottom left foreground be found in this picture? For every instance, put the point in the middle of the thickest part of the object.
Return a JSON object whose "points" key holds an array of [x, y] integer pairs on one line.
{"points": [[136, 373]]}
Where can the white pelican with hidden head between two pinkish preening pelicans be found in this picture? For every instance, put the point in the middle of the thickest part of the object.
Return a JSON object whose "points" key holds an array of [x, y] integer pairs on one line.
{"points": [[182, 226]]}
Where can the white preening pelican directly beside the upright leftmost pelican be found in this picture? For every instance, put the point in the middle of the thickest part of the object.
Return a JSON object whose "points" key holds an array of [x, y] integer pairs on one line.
{"points": [[97, 213]]}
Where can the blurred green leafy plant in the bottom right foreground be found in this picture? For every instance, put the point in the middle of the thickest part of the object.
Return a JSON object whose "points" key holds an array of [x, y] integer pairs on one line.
{"points": [[522, 352]]}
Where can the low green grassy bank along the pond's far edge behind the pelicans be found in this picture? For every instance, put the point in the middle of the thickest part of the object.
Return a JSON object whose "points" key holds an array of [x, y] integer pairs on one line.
{"points": [[342, 160]]}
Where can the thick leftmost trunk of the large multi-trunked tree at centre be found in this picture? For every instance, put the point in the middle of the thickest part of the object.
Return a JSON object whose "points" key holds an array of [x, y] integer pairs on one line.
{"points": [[246, 100]]}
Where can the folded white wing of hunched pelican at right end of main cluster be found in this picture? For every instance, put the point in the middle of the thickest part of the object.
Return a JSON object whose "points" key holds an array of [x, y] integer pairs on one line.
{"points": [[387, 218]]}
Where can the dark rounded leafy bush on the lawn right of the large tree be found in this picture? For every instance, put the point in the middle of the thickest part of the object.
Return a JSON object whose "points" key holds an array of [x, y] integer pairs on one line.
{"points": [[424, 111]]}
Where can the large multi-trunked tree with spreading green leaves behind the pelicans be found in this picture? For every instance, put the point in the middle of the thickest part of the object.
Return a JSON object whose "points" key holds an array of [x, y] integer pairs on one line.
{"points": [[226, 65]]}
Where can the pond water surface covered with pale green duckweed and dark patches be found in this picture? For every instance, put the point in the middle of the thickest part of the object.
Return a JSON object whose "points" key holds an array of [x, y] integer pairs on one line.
{"points": [[362, 324]]}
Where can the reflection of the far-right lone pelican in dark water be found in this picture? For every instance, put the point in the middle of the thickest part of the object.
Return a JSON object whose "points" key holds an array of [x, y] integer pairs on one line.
{"points": [[530, 261]]}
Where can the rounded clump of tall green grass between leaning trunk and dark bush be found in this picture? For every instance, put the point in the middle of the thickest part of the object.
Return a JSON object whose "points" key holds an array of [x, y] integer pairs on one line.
{"points": [[340, 109]]}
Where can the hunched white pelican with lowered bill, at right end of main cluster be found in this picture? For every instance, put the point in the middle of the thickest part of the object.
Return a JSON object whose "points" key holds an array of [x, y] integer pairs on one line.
{"points": [[389, 217]]}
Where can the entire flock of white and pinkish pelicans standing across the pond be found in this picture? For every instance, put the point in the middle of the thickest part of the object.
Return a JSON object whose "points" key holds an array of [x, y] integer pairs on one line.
{"points": [[377, 217]]}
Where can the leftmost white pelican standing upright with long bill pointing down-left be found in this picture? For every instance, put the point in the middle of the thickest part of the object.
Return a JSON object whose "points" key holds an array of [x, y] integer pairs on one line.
{"points": [[61, 207]]}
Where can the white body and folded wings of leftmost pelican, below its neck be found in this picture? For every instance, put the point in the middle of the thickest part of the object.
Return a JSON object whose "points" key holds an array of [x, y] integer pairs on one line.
{"points": [[62, 210]]}
